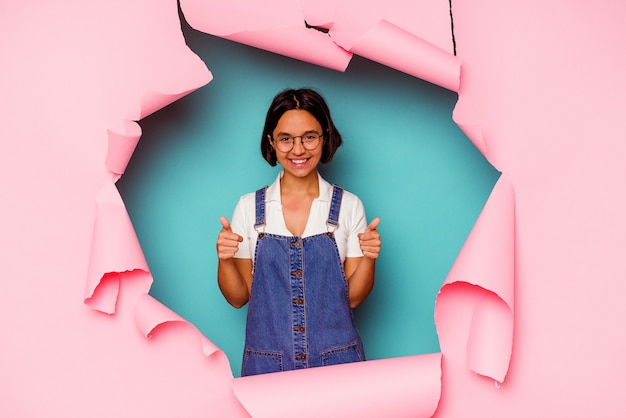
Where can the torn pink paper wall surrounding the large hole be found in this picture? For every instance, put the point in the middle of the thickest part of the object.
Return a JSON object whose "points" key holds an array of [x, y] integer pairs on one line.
{"points": [[531, 317]]}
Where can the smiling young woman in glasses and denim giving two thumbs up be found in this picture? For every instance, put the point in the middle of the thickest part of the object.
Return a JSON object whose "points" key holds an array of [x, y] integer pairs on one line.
{"points": [[299, 251]]}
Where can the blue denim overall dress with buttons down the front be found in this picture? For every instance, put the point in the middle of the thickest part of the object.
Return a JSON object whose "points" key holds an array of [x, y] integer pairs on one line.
{"points": [[299, 314]]}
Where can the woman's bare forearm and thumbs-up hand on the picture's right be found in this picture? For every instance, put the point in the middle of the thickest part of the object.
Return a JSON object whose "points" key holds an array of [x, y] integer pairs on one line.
{"points": [[360, 270]]}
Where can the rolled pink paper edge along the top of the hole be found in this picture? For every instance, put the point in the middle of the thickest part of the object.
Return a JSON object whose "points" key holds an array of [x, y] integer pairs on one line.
{"points": [[385, 43]]}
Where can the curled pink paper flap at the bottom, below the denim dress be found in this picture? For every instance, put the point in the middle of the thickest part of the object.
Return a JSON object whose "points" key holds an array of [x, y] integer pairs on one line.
{"points": [[411, 384]]}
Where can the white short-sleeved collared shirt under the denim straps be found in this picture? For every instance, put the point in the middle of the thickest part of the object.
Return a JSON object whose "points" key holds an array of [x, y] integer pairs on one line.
{"points": [[352, 220]]}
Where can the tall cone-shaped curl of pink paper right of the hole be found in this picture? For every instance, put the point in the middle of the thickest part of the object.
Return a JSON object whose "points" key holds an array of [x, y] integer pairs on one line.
{"points": [[486, 262]]}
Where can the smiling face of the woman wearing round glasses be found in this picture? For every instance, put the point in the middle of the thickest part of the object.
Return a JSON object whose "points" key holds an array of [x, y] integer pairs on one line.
{"points": [[299, 161]]}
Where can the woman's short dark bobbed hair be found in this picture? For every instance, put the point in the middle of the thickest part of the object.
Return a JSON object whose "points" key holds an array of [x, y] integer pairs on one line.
{"points": [[304, 99]]}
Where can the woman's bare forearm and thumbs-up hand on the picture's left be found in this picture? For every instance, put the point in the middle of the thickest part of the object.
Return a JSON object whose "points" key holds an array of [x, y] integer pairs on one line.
{"points": [[234, 275]]}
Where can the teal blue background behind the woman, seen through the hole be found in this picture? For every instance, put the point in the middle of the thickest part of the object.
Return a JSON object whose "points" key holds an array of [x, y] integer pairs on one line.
{"points": [[402, 155]]}
